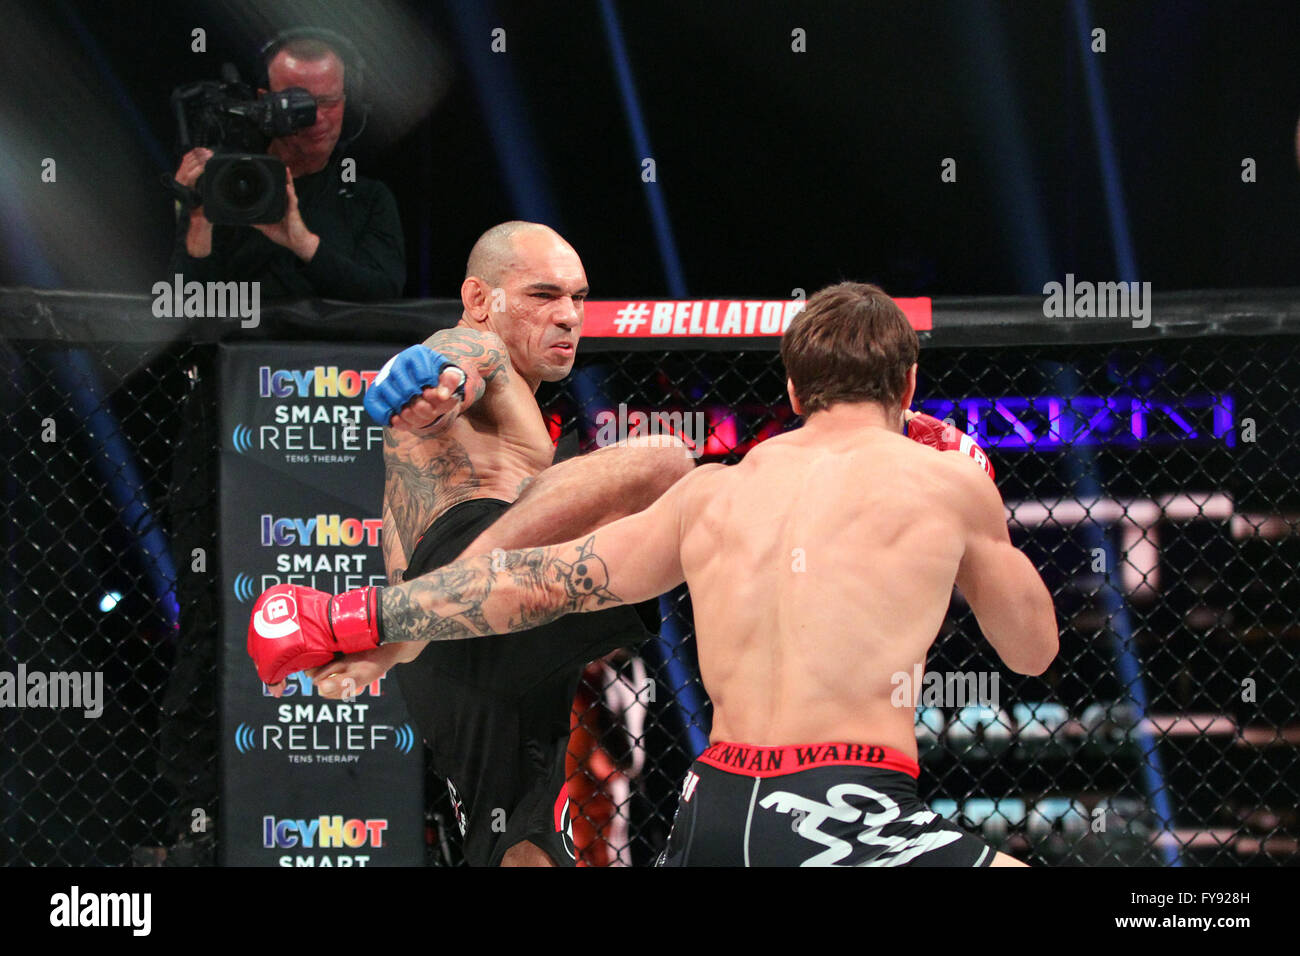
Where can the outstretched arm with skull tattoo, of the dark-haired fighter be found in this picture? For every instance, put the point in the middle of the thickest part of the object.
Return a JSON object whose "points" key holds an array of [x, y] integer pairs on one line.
{"points": [[625, 563]]}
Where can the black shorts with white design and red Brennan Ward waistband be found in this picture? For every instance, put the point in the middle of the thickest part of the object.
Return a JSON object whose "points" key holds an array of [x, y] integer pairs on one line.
{"points": [[816, 806]]}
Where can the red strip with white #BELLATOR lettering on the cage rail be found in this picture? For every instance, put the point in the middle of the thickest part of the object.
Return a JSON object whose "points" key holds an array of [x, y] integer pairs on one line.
{"points": [[710, 318]]}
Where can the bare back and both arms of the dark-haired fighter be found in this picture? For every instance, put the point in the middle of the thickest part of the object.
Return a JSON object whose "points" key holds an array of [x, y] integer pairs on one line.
{"points": [[820, 568]]}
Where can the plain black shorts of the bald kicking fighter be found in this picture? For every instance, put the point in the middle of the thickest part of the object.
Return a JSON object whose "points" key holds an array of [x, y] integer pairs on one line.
{"points": [[496, 711]]}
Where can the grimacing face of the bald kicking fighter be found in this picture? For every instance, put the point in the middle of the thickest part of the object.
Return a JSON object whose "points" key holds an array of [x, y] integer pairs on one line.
{"points": [[544, 292]]}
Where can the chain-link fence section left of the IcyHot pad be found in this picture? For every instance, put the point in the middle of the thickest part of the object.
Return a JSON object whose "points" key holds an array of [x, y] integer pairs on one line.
{"points": [[109, 475]]}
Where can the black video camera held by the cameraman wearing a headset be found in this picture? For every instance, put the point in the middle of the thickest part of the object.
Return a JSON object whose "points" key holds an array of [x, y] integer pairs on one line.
{"points": [[241, 184]]}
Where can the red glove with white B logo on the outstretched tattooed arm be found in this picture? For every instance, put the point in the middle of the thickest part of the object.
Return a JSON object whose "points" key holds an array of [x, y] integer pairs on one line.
{"points": [[294, 629]]}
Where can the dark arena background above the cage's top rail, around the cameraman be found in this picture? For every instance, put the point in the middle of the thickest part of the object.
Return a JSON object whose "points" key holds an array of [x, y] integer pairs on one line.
{"points": [[777, 170]]}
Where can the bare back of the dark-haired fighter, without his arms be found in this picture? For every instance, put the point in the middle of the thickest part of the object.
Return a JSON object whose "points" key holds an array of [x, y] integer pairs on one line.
{"points": [[820, 568]]}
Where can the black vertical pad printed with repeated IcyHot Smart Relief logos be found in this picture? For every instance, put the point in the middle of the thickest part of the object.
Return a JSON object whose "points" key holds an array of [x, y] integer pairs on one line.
{"points": [[307, 781]]}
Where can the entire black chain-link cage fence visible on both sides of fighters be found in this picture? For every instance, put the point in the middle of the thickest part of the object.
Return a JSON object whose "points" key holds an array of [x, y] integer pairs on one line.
{"points": [[1152, 483]]}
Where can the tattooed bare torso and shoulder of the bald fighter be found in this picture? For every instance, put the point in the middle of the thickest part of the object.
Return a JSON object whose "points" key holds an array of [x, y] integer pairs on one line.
{"points": [[492, 451]]}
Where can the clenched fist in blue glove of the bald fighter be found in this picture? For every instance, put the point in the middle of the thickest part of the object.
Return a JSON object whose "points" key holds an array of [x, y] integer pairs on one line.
{"points": [[415, 388]]}
